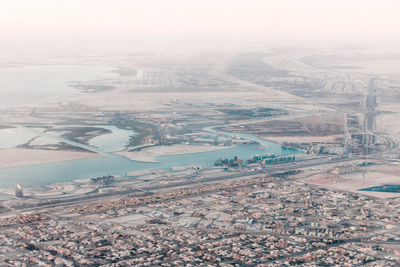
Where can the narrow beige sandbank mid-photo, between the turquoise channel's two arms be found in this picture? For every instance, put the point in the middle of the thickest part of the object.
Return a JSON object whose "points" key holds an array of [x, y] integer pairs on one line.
{"points": [[150, 154]]}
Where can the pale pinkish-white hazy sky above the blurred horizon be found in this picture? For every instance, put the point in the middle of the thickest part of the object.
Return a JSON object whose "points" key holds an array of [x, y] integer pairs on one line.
{"points": [[121, 23]]}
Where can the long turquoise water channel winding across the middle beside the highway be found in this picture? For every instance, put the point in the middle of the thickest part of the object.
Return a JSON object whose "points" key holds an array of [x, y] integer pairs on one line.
{"points": [[41, 174]]}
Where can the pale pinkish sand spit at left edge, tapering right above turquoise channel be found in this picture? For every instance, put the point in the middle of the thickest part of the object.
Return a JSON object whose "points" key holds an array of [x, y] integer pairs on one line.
{"points": [[14, 157]]}
